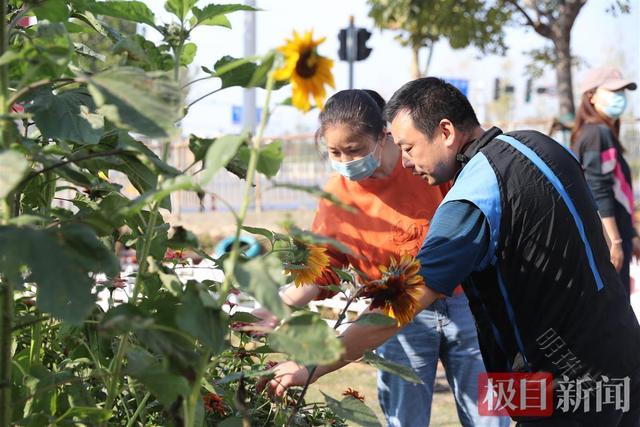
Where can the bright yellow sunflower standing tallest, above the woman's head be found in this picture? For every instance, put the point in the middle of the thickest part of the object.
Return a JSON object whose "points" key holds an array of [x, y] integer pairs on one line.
{"points": [[307, 70]]}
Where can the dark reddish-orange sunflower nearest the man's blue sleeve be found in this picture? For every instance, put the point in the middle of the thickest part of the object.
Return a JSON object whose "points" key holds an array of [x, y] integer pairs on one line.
{"points": [[397, 291]]}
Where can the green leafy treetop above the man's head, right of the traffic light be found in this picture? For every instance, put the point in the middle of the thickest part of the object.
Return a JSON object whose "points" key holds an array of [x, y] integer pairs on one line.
{"points": [[423, 22]]}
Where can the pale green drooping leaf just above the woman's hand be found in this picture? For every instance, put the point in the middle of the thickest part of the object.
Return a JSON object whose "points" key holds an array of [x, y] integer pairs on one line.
{"points": [[262, 278]]}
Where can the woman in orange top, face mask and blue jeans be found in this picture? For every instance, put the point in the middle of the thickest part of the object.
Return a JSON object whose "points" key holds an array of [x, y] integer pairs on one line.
{"points": [[391, 218]]}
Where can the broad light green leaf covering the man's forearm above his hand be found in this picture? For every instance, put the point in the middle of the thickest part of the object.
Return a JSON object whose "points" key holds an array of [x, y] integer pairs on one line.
{"points": [[307, 339]]}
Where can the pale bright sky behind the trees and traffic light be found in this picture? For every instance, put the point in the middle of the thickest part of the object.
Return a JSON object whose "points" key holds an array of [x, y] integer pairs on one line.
{"points": [[598, 38]]}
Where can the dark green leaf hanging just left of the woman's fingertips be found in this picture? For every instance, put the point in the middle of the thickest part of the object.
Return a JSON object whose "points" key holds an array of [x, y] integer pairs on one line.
{"points": [[206, 324]]}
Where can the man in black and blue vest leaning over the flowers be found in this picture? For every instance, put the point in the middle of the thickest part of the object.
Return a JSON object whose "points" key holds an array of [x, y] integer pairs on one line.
{"points": [[520, 230]]}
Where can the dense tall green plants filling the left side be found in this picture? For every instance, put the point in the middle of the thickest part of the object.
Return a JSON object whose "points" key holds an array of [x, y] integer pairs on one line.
{"points": [[79, 93]]}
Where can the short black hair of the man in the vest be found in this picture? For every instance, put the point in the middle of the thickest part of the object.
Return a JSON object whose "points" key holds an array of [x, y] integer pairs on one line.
{"points": [[429, 100]]}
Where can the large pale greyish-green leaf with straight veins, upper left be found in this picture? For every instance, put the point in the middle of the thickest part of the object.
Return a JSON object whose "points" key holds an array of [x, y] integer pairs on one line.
{"points": [[148, 103]]}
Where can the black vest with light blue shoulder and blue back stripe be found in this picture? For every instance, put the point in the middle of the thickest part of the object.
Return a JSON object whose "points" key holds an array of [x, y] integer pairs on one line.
{"points": [[547, 298]]}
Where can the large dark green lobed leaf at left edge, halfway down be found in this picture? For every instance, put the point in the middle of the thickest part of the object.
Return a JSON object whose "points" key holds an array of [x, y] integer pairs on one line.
{"points": [[60, 262]]}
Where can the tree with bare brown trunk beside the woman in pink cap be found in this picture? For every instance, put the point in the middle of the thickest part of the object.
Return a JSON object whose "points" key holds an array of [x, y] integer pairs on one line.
{"points": [[553, 20]]}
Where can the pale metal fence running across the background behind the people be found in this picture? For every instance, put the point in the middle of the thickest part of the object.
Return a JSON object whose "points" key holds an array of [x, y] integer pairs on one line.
{"points": [[305, 164]]}
